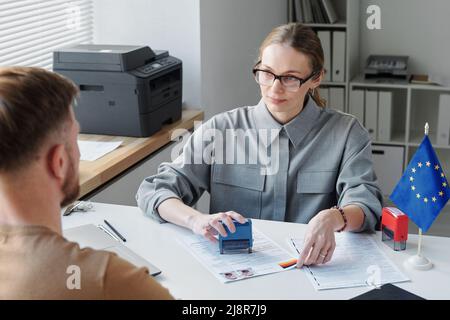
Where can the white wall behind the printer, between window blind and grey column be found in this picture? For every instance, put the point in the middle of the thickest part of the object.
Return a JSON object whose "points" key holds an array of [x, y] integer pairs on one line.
{"points": [[172, 25]]}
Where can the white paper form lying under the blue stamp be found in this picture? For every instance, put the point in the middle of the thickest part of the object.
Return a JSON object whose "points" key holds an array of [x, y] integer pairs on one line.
{"points": [[266, 257]]}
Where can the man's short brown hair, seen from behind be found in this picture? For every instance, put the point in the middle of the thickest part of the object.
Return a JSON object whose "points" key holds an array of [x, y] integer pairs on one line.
{"points": [[34, 103]]}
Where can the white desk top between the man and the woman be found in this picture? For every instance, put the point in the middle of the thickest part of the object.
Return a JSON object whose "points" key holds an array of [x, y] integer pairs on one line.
{"points": [[186, 278]]}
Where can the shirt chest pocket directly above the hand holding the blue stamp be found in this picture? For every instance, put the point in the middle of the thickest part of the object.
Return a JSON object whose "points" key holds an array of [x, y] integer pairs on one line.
{"points": [[237, 188]]}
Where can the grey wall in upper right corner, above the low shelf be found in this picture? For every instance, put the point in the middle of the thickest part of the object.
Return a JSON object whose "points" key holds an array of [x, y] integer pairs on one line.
{"points": [[416, 28]]}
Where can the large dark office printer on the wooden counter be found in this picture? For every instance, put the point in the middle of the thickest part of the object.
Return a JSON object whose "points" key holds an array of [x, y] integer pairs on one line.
{"points": [[124, 90]]}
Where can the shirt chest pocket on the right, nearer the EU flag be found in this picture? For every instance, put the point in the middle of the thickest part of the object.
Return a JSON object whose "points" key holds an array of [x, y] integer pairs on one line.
{"points": [[311, 182]]}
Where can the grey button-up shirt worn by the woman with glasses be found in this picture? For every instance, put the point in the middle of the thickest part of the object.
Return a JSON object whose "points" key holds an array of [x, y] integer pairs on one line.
{"points": [[319, 159]]}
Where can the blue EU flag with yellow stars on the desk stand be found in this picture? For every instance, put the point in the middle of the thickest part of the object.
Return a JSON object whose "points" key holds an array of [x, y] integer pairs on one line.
{"points": [[423, 189]]}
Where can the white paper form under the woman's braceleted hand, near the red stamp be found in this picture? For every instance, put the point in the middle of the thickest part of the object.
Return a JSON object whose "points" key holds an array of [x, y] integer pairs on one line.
{"points": [[357, 261]]}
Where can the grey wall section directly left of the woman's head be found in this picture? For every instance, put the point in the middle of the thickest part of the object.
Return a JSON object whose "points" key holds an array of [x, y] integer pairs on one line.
{"points": [[231, 32]]}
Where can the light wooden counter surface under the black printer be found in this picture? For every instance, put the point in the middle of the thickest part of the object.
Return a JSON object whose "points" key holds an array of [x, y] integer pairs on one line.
{"points": [[95, 173]]}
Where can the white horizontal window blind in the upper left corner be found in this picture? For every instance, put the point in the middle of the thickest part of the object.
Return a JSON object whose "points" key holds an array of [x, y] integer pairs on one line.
{"points": [[30, 30]]}
